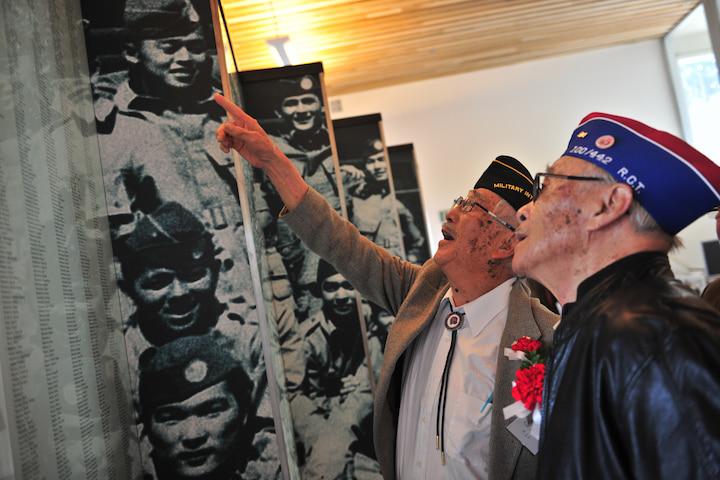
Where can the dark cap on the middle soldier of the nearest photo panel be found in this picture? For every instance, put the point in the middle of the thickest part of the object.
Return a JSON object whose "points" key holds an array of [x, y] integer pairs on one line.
{"points": [[169, 236]]}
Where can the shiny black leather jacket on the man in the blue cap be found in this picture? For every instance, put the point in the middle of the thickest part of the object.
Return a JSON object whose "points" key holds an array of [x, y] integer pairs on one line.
{"points": [[632, 388]]}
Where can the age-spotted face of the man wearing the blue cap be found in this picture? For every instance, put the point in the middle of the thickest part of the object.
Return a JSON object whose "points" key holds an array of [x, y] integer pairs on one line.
{"points": [[552, 228]]}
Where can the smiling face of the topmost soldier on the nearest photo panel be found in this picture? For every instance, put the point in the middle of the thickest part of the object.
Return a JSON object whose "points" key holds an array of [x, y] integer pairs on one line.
{"points": [[176, 62]]}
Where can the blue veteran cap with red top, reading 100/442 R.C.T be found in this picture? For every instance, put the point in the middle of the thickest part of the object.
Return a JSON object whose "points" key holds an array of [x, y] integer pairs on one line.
{"points": [[674, 182]]}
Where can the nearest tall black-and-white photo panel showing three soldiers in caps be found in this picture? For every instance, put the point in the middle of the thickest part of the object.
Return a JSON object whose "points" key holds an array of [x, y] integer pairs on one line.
{"points": [[191, 325]]}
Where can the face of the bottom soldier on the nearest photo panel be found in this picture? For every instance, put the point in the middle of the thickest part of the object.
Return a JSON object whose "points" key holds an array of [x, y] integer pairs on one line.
{"points": [[197, 436]]}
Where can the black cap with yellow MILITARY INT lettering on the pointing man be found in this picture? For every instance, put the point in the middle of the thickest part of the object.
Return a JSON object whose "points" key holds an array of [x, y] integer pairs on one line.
{"points": [[509, 178]]}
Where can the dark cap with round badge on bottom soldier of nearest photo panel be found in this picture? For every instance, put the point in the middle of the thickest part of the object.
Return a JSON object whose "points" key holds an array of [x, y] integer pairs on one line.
{"points": [[186, 366]]}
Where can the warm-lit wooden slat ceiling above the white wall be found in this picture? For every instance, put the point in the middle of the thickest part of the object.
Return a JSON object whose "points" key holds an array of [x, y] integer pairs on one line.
{"points": [[372, 43]]}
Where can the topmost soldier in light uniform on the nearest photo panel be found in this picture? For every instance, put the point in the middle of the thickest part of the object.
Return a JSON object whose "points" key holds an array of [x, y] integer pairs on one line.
{"points": [[159, 125]]}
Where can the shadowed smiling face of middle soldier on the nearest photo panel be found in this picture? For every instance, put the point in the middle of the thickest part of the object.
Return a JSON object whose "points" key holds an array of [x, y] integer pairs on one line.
{"points": [[176, 299]]}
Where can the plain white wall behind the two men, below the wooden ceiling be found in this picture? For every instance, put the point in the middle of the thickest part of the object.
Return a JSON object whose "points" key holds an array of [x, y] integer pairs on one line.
{"points": [[459, 123]]}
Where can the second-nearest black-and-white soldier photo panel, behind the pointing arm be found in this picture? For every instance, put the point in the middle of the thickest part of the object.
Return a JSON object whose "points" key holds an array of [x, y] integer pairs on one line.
{"points": [[332, 412]]}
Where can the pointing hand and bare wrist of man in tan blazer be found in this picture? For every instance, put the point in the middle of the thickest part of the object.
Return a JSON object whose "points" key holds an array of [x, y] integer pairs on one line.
{"points": [[243, 133]]}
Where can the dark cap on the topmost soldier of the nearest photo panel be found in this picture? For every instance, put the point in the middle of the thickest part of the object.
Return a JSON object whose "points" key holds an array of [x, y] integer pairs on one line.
{"points": [[160, 18]]}
